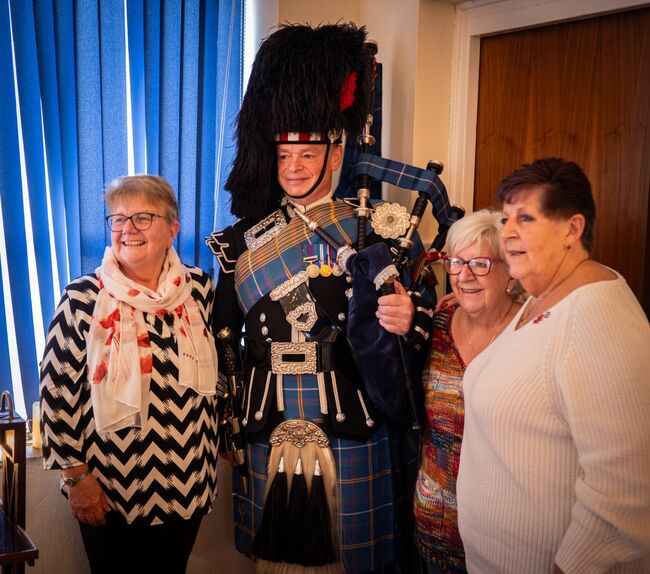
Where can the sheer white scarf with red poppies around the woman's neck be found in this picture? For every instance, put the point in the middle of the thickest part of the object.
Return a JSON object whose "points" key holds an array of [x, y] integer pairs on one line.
{"points": [[119, 354]]}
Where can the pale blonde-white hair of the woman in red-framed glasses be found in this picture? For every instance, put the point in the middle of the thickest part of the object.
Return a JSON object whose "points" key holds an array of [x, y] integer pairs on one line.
{"points": [[482, 227]]}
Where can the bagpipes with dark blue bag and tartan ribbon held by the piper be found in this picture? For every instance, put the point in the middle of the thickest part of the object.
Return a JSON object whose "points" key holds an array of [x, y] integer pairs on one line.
{"points": [[380, 354]]}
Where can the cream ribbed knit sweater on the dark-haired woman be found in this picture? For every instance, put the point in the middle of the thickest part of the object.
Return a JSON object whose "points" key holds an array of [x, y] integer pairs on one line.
{"points": [[555, 461]]}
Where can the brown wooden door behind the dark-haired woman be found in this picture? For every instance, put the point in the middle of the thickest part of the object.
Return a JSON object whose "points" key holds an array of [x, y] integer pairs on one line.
{"points": [[578, 90]]}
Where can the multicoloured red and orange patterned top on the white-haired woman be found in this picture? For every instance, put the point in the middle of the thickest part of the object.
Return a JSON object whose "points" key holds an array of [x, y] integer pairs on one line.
{"points": [[435, 493]]}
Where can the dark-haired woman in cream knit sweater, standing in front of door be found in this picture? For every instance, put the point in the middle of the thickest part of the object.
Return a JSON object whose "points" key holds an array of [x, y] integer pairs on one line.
{"points": [[555, 465]]}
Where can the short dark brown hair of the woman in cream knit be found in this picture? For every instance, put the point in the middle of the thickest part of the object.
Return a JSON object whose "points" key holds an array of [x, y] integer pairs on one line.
{"points": [[566, 191]]}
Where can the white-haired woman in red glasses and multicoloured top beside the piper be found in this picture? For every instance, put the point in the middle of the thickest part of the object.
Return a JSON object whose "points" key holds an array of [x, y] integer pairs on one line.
{"points": [[485, 305]]}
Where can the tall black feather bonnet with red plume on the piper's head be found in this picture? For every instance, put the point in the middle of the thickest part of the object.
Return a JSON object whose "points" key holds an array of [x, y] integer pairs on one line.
{"points": [[304, 79]]}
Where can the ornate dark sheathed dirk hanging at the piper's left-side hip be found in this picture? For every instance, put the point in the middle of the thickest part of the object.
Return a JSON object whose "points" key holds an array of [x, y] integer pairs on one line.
{"points": [[231, 419]]}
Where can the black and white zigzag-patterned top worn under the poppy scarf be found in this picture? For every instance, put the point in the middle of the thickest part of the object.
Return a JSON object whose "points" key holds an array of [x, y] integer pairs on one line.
{"points": [[168, 470]]}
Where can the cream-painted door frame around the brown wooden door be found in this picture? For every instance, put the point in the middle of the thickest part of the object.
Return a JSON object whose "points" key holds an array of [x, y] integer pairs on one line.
{"points": [[478, 18]]}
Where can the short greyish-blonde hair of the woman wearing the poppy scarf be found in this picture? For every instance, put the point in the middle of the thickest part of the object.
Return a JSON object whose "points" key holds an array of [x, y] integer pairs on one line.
{"points": [[152, 187]]}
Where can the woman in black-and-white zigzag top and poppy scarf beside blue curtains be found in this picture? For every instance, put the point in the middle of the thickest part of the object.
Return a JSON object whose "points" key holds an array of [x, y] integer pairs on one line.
{"points": [[128, 390]]}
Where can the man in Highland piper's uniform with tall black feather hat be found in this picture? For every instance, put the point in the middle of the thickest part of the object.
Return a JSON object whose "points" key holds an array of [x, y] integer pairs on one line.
{"points": [[306, 411]]}
